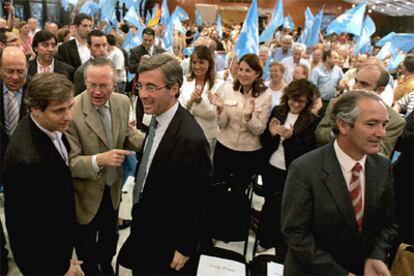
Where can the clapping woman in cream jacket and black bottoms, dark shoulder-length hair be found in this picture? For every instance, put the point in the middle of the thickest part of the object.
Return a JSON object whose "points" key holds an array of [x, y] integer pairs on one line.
{"points": [[243, 112]]}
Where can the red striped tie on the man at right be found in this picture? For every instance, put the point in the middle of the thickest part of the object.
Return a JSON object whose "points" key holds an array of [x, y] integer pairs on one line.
{"points": [[356, 194]]}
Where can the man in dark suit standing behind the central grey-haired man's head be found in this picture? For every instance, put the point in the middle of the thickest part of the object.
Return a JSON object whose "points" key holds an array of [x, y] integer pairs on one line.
{"points": [[146, 48]]}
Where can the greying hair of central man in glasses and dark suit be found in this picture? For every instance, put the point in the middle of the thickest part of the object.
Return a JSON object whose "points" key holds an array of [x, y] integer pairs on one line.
{"points": [[171, 69]]}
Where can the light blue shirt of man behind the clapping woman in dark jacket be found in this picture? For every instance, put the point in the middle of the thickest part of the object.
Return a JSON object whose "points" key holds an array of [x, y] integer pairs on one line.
{"points": [[326, 80]]}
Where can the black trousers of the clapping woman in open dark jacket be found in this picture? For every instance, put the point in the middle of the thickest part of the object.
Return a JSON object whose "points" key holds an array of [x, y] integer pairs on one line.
{"points": [[270, 234]]}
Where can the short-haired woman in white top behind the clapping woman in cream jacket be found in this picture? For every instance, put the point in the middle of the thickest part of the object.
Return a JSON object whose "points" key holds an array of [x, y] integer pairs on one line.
{"points": [[276, 82]]}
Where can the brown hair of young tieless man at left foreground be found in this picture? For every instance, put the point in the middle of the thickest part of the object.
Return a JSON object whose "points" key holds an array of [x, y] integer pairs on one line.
{"points": [[46, 88]]}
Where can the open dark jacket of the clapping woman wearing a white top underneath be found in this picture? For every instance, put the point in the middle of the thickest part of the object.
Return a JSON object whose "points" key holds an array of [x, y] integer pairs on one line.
{"points": [[302, 140]]}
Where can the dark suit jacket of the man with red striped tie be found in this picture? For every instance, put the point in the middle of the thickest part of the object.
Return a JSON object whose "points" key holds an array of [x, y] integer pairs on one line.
{"points": [[318, 219]]}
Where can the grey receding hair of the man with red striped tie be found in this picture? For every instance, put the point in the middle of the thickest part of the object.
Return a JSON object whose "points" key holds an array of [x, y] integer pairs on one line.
{"points": [[346, 107]]}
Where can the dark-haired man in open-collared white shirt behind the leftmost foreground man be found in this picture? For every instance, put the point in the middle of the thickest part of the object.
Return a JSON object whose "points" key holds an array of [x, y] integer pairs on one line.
{"points": [[45, 46]]}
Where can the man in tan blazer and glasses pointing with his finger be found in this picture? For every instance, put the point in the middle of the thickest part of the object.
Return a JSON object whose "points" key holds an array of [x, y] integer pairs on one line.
{"points": [[98, 135]]}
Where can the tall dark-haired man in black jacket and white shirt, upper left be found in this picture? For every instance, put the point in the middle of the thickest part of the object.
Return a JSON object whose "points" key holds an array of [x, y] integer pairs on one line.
{"points": [[75, 52]]}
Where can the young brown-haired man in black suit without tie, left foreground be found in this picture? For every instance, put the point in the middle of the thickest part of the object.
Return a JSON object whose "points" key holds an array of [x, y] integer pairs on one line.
{"points": [[39, 199]]}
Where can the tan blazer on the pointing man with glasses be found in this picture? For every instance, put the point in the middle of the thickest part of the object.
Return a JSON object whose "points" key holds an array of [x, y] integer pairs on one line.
{"points": [[86, 136]]}
